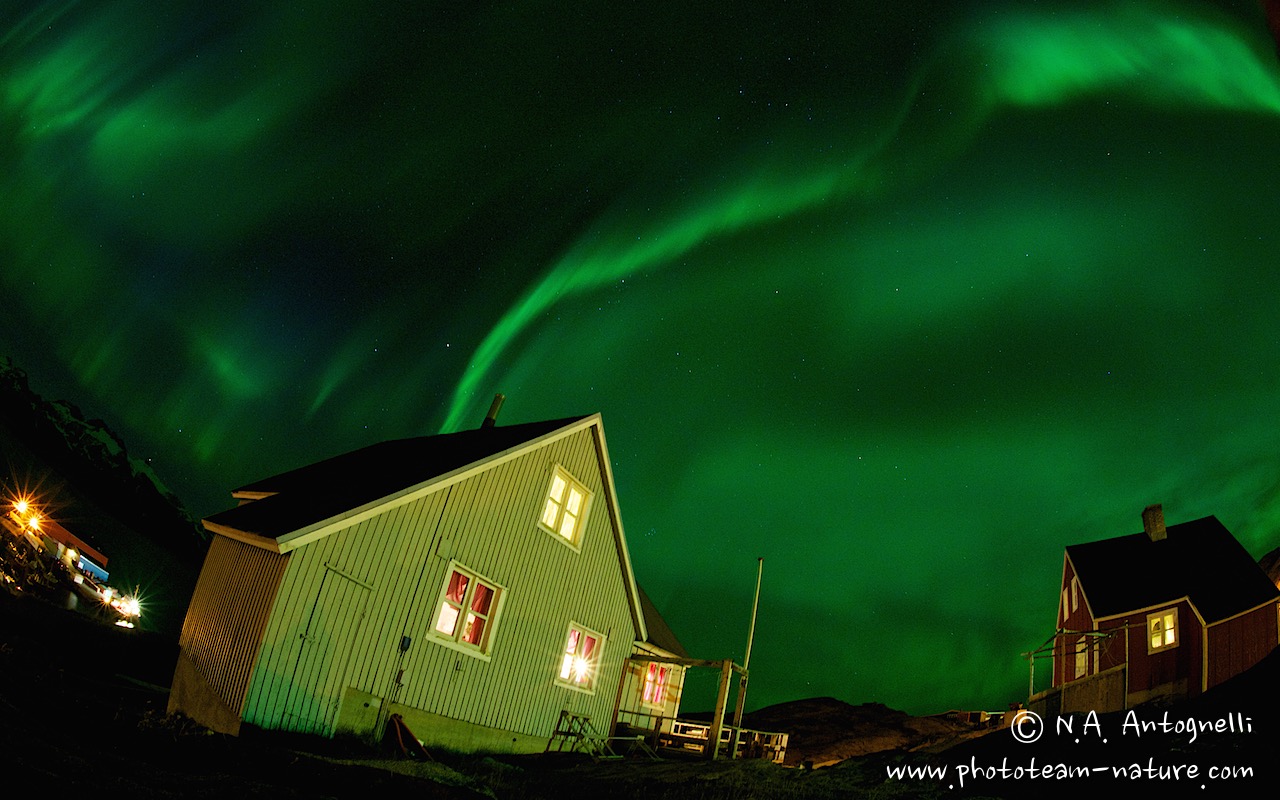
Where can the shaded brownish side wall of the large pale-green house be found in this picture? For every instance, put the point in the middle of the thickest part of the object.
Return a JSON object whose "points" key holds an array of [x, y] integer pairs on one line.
{"points": [[230, 614]]}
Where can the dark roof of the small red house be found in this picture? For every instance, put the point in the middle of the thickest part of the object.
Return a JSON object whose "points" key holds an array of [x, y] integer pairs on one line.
{"points": [[1199, 560]]}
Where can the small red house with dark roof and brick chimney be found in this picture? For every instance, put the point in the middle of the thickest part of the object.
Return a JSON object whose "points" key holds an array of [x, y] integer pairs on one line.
{"points": [[1165, 614]]}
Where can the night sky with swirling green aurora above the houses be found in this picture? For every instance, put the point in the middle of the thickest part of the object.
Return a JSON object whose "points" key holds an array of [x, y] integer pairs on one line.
{"points": [[902, 299]]}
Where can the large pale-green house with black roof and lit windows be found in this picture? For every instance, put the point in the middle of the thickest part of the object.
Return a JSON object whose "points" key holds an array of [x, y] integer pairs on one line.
{"points": [[340, 593]]}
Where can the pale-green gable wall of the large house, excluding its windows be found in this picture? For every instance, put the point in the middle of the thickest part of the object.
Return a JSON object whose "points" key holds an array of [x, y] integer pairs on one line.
{"points": [[391, 570]]}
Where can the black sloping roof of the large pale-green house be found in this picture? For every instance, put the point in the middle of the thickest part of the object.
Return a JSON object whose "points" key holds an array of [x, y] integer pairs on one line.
{"points": [[339, 487]]}
